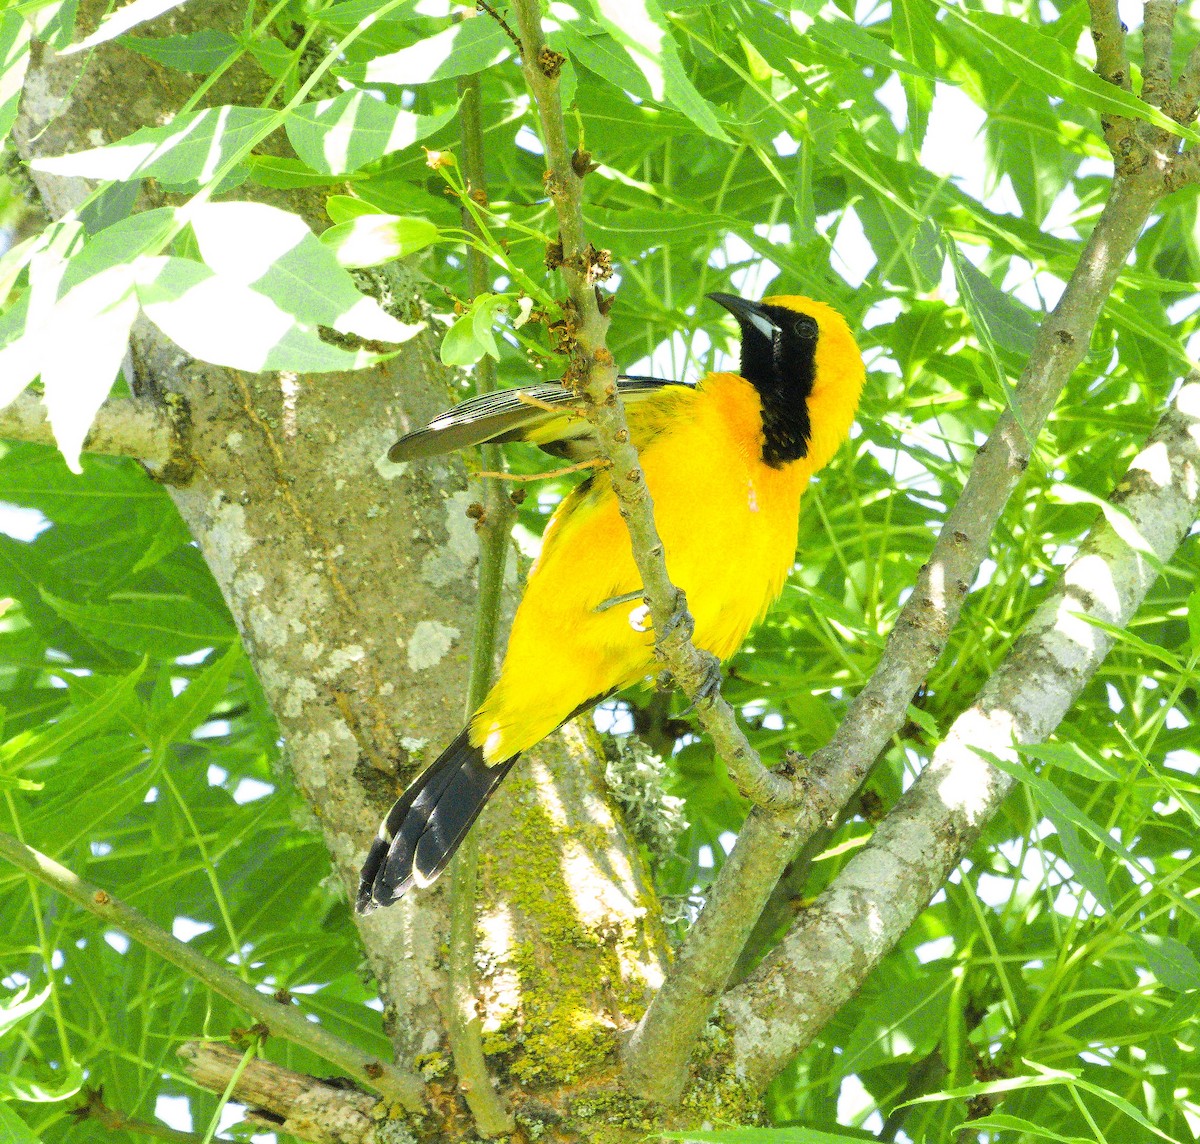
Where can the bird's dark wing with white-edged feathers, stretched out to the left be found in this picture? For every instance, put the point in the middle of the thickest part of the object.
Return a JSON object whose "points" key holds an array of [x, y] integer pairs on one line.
{"points": [[519, 415]]}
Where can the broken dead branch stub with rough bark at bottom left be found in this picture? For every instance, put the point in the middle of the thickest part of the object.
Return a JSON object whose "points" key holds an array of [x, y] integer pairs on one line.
{"points": [[285, 1101]]}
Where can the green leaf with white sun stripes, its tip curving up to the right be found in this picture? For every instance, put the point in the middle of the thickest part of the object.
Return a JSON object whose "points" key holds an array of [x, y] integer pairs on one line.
{"points": [[356, 129]]}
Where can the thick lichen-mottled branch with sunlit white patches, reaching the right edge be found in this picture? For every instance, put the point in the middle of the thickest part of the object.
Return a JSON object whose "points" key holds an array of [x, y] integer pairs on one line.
{"points": [[861, 917]]}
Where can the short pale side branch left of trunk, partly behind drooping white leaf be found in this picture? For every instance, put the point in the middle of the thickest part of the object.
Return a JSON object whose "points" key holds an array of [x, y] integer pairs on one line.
{"points": [[124, 428]]}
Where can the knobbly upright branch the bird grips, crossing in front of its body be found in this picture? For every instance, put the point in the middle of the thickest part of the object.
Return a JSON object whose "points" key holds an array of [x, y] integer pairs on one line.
{"points": [[596, 375]]}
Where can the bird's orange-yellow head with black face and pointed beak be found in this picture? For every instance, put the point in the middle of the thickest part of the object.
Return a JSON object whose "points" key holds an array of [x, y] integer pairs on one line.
{"points": [[807, 367]]}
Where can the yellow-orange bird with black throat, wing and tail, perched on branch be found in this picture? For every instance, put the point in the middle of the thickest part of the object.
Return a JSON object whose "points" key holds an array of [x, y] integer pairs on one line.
{"points": [[725, 462]]}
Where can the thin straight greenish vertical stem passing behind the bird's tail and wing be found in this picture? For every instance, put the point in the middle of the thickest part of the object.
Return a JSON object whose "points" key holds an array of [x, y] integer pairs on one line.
{"points": [[464, 1021]]}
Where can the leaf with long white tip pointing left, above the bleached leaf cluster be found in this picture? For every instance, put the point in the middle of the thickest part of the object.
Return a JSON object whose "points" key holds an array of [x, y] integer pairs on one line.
{"points": [[184, 154]]}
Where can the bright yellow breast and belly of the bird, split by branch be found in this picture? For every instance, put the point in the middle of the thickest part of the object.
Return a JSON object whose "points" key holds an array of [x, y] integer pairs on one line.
{"points": [[729, 528]]}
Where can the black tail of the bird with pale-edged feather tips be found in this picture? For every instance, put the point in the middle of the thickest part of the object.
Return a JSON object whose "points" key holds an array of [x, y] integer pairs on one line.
{"points": [[428, 823]]}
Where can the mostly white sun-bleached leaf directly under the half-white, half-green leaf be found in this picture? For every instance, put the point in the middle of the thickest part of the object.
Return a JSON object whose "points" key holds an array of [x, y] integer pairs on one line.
{"points": [[224, 322]]}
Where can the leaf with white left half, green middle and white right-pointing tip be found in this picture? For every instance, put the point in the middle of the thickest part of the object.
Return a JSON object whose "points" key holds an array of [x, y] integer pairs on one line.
{"points": [[275, 254]]}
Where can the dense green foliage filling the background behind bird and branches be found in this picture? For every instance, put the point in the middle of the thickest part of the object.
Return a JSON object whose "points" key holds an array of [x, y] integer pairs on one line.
{"points": [[140, 752]]}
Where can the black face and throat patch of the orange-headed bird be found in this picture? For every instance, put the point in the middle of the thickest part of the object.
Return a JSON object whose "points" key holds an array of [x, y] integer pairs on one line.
{"points": [[783, 369]]}
